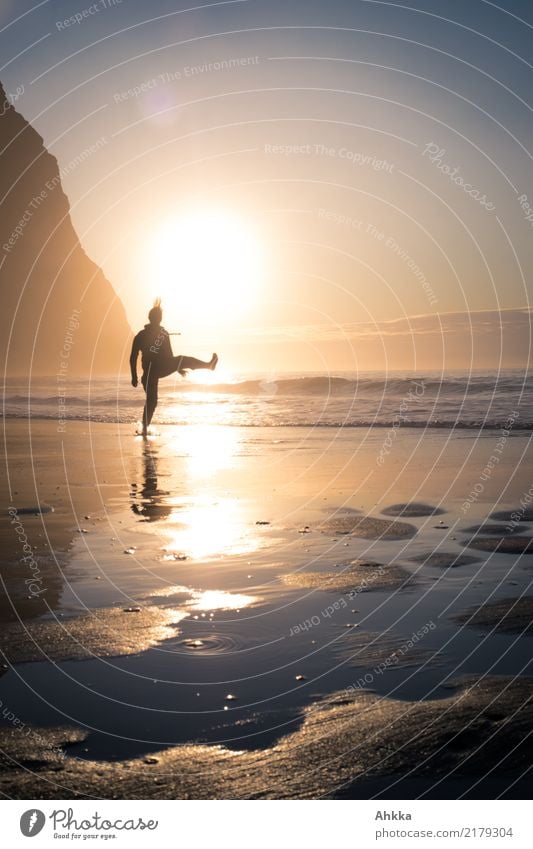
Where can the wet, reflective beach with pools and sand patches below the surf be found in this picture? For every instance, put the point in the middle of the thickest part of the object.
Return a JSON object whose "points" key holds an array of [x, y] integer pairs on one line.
{"points": [[236, 612]]}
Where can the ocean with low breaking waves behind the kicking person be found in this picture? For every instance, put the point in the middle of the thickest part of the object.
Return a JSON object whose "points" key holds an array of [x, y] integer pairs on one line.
{"points": [[369, 399]]}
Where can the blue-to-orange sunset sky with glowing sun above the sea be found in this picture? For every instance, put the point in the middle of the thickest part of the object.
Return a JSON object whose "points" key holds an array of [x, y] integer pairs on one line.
{"points": [[299, 181]]}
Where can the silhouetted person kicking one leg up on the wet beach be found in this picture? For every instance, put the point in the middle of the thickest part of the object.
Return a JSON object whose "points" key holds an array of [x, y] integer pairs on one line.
{"points": [[158, 361]]}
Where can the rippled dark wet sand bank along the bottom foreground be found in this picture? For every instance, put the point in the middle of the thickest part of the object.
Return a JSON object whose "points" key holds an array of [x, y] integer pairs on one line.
{"points": [[344, 749]]}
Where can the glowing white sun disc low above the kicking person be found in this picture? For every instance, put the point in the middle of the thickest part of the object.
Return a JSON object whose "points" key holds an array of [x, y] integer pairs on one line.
{"points": [[206, 265]]}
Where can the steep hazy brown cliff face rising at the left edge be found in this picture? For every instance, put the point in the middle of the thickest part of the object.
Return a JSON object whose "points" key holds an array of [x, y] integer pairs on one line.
{"points": [[58, 312]]}
